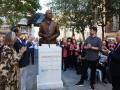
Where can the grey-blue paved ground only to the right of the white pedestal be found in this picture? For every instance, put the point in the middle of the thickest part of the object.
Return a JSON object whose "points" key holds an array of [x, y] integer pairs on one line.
{"points": [[70, 79]]}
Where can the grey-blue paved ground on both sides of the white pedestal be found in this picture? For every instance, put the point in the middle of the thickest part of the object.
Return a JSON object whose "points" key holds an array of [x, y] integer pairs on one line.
{"points": [[69, 79]]}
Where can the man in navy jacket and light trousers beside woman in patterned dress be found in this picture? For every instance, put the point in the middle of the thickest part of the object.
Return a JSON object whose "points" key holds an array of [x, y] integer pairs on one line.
{"points": [[24, 62]]}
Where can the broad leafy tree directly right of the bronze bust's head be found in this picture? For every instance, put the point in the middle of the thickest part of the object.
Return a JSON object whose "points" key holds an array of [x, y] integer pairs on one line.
{"points": [[77, 14]]}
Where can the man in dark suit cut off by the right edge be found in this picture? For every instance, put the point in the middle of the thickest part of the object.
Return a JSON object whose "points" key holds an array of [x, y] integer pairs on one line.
{"points": [[114, 57]]}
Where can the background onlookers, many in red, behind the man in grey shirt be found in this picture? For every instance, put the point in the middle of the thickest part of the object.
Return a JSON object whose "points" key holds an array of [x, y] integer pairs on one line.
{"points": [[73, 54]]}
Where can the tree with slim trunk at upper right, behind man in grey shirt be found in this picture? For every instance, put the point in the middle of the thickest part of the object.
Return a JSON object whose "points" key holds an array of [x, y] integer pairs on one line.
{"points": [[106, 9]]}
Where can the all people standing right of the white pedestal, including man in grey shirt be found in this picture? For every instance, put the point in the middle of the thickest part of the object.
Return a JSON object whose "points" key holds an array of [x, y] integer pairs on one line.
{"points": [[91, 53]]}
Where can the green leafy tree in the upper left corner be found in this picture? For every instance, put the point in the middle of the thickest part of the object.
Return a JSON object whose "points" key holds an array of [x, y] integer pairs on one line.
{"points": [[14, 10]]}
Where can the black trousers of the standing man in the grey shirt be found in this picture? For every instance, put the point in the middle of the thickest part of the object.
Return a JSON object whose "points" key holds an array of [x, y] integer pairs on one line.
{"points": [[86, 64]]}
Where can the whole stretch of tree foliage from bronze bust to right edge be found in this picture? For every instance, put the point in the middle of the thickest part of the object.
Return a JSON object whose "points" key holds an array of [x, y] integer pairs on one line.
{"points": [[77, 14]]}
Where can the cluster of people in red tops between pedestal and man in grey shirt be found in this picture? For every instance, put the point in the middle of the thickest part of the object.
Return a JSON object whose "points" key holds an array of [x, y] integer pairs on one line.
{"points": [[69, 53]]}
